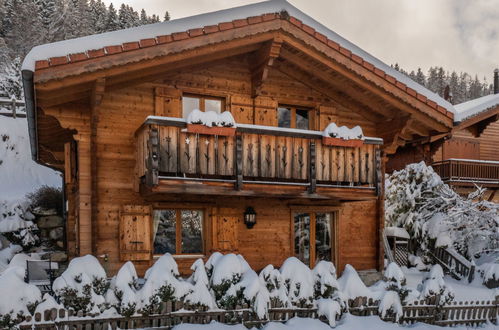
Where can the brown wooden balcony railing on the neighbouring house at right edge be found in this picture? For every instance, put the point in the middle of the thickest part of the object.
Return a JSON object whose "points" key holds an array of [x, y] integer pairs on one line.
{"points": [[468, 171]]}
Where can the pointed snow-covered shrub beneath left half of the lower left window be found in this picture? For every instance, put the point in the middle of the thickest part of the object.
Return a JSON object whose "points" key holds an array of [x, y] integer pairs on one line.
{"points": [[162, 284]]}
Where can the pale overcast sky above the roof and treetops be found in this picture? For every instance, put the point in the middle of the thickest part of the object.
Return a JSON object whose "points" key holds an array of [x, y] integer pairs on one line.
{"points": [[461, 35]]}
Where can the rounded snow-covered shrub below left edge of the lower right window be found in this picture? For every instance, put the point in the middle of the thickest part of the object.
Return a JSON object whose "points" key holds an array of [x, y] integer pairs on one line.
{"points": [[299, 282]]}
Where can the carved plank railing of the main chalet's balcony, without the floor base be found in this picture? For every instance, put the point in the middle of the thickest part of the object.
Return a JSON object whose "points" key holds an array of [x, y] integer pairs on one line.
{"points": [[256, 154]]}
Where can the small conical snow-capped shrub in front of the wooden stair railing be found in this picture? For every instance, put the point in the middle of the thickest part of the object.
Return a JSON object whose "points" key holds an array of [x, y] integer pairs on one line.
{"points": [[434, 287]]}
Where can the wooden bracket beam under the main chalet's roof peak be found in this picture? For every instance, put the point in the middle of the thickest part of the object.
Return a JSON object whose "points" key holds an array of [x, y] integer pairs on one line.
{"points": [[260, 63]]}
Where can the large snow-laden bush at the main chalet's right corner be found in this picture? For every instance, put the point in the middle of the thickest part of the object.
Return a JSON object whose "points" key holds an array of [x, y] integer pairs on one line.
{"points": [[435, 215]]}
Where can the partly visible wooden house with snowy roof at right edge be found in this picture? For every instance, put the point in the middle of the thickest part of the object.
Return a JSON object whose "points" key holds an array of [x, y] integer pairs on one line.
{"points": [[470, 157]]}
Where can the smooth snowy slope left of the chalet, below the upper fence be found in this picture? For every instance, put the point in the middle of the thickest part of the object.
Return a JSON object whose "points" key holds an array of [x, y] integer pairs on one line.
{"points": [[19, 174]]}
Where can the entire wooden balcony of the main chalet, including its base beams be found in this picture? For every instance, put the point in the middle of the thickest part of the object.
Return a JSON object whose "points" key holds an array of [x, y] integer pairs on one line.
{"points": [[254, 161]]}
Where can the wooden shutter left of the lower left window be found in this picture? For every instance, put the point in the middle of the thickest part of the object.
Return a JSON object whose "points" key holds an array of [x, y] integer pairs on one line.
{"points": [[135, 233]]}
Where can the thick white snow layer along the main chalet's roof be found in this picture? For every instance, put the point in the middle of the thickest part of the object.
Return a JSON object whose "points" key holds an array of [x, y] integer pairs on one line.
{"points": [[99, 41]]}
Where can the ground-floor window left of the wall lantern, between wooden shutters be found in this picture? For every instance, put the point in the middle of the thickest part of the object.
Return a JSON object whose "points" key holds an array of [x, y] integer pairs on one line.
{"points": [[177, 231]]}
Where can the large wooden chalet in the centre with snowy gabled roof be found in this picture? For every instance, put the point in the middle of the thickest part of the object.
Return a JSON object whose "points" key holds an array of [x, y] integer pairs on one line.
{"points": [[109, 111]]}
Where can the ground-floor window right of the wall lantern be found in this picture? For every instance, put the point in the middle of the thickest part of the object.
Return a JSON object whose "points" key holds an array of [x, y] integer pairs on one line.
{"points": [[315, 236]]}
